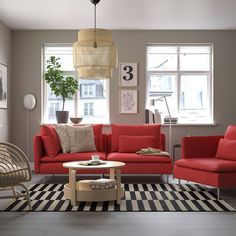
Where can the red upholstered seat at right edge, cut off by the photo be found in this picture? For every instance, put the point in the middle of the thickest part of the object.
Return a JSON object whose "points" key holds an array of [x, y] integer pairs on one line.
{"points": [[209, 160]]}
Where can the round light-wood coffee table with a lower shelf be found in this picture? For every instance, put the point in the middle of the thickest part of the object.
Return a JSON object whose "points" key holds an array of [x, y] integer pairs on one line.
{"points": [[75, 193]]}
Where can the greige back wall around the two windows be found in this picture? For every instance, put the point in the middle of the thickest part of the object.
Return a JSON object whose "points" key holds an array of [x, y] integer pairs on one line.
{"points": [[131, 45]]}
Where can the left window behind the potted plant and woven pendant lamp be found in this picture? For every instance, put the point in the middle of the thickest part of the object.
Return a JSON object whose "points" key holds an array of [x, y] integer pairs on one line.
{"points": [[91, 101]]}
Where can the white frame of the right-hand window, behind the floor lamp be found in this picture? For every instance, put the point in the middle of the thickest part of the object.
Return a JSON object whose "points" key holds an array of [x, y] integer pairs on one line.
{"points": [[179, 73]]}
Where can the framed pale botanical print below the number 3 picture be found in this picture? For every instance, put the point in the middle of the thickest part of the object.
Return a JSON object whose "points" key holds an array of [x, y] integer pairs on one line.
{"points": [[128, 101]]}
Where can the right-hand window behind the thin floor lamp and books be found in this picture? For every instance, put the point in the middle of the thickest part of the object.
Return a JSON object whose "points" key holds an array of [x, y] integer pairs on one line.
{"points": [[182, 73]]}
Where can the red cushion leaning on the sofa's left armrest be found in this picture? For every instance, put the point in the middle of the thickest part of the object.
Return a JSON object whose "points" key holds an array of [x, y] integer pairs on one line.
{"points": [[50, 140]]}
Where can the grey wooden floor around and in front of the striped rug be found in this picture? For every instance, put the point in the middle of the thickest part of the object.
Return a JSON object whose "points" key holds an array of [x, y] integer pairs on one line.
{"points": [[119, 223]]}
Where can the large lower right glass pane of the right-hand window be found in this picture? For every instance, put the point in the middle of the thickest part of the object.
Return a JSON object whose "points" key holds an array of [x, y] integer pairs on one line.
{"points": [[194, 98]]}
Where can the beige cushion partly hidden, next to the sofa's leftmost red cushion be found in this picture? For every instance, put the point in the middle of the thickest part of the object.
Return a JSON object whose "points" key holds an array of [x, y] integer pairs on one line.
{"points": [[63, 137]]}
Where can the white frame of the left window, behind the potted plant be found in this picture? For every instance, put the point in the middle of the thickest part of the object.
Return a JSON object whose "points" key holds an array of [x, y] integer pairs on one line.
{"points": [[44, 95]]}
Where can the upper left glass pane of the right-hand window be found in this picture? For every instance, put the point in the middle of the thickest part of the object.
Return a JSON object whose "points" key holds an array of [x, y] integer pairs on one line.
{"points": [[162, 62]]}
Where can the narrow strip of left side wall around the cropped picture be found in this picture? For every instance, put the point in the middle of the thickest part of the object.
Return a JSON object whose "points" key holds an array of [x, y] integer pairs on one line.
{"points": [[5, 58]]}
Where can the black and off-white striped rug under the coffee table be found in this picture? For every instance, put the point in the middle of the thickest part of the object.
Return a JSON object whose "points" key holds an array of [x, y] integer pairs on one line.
{"points": [[138, 197]]}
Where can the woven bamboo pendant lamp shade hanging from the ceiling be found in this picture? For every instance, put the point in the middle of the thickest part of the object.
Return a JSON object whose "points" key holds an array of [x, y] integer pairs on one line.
{"points": [[95, 61]]}
